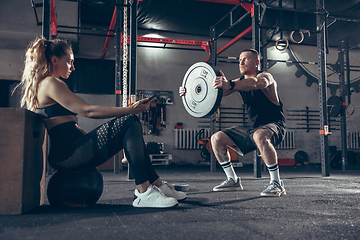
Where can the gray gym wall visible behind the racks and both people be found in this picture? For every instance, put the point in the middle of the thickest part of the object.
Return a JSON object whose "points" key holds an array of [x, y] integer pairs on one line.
{"points": [[163, 69]]}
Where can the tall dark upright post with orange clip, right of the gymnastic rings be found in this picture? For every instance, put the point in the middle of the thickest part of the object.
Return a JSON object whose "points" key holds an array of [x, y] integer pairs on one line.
{"points": [[321, 46]]}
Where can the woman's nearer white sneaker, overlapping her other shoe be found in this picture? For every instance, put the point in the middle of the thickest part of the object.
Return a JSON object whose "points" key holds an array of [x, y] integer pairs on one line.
{"points": [[153, 198]]}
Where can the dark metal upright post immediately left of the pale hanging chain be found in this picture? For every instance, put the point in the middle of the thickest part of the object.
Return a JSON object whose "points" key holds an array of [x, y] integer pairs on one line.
{"points": [[118, 85]]}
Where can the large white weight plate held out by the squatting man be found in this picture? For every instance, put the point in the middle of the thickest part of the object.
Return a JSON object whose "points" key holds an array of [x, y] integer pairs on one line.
{"points": [[200, 98]]}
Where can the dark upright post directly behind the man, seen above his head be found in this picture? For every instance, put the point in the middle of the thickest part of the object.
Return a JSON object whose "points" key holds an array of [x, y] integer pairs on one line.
{"points": [[256, 46]]}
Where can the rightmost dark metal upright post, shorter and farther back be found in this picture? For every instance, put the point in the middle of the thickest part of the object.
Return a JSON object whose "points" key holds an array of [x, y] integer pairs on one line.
{"points": [[341, 55]]}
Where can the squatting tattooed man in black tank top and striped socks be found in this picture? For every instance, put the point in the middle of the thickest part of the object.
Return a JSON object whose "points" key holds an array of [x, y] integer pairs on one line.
{"points": [[264, 130]]}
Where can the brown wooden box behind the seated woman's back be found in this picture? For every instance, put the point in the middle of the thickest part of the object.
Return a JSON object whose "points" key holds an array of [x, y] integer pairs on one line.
{"points": [[21, 158]]}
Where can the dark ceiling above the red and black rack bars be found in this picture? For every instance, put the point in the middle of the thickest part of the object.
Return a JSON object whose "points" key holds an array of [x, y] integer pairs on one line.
{"points": [[193, 17]]}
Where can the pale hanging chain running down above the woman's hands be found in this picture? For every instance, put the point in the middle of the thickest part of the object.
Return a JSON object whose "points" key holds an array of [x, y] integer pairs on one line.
{"points": [[125, 57]]}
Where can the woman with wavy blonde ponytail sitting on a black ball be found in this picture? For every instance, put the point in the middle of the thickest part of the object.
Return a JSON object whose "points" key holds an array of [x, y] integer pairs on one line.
{"points": [[72, 148]]}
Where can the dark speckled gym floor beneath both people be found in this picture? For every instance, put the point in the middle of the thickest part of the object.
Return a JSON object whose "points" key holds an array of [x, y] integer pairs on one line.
{"points": [[315, 207]]}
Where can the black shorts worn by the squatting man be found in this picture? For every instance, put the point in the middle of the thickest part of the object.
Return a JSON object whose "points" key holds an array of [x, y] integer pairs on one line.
{"points": [[242, 136]]}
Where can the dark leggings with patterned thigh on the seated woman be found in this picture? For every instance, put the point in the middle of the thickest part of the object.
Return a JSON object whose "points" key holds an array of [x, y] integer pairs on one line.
{"points": [[70, 149]]}
